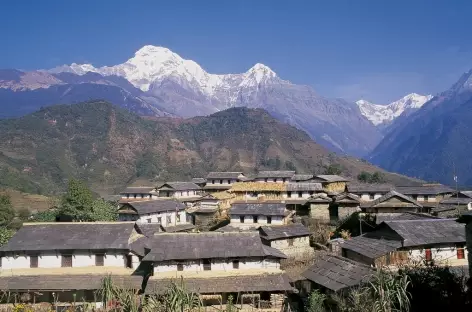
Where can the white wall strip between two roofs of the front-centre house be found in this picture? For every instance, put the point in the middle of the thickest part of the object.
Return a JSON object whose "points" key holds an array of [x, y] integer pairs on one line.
{"points": [[218, 265]]}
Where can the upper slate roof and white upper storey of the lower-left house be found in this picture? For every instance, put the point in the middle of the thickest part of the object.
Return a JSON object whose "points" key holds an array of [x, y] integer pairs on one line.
{"points": [[59, 245]]}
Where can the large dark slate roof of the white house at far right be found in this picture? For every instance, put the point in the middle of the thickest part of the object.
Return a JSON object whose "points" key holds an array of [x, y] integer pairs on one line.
{"points": [[428, 231]]}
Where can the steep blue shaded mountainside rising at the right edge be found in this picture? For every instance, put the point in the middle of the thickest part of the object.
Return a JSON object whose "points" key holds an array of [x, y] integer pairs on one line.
{"points": [[434, 141]]}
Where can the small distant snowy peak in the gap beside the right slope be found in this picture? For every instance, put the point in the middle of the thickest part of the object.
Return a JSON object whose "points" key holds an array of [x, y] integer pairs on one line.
{"points": [[385, 114]]}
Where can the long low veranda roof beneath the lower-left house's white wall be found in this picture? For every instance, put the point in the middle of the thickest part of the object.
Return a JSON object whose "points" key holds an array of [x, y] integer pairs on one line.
{"points": [[66, 282]]}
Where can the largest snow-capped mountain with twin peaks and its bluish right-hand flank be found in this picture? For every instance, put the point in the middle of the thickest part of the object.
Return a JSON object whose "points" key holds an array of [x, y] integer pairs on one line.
{"points": [[182, 87]]}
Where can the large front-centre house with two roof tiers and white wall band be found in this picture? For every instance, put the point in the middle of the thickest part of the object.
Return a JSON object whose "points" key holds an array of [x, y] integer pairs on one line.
{"points": [[217, 265]]}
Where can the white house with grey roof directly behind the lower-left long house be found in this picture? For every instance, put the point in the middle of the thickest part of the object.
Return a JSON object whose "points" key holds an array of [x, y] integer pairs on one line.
{"points": [[167, 212]]}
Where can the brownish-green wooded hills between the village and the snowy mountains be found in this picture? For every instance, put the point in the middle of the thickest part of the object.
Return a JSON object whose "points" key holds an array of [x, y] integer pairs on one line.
{"points": [[110, 147]]}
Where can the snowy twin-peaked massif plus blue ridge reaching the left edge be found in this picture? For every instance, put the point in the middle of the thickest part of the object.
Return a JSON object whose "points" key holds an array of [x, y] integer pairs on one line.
{"points": [[158, 82]]}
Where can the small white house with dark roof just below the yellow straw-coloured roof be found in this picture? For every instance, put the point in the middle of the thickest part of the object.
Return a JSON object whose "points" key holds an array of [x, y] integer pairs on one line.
{"points": [[250, 214]]}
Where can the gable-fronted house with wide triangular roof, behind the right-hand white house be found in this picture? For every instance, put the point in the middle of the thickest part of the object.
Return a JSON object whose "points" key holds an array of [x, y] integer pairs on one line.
{"points": [[392, 202]]}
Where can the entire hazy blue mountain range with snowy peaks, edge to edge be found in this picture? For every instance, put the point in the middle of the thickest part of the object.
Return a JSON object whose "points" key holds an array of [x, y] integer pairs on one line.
{"points": [[418, 135]]}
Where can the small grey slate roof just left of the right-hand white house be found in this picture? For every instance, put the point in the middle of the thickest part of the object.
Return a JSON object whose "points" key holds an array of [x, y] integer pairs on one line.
{"points": [[370, 247]]}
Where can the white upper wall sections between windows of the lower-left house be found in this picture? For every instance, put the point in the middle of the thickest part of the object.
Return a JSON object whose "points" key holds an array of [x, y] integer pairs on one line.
{"points": [[51, 259]]}
